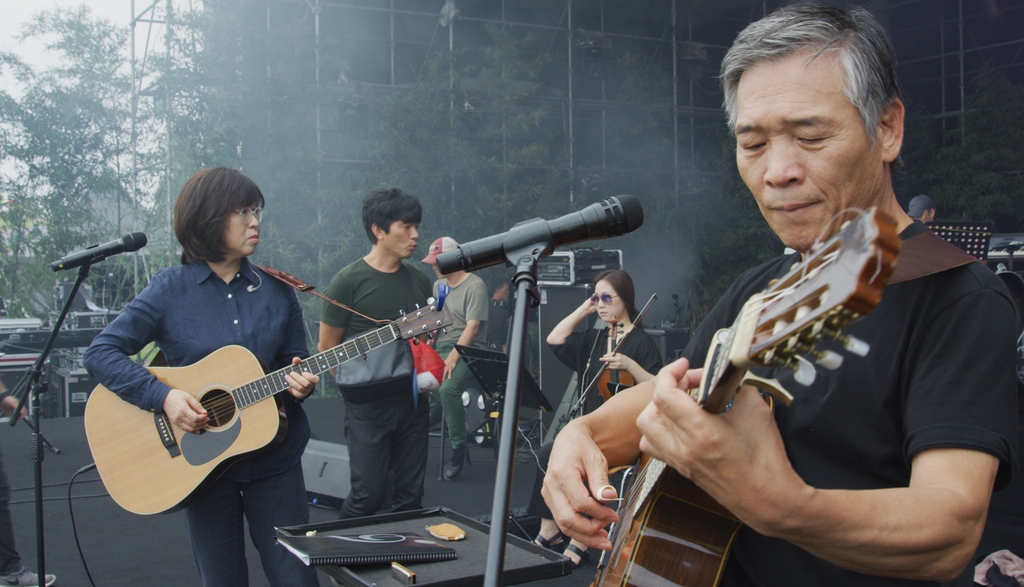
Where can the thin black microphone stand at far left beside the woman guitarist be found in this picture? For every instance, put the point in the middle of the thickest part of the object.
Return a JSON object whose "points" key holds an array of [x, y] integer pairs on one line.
{"points": [[31, 383]]}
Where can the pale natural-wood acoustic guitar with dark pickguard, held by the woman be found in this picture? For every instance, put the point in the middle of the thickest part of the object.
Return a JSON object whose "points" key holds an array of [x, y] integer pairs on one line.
{"points": [[151, 467]]}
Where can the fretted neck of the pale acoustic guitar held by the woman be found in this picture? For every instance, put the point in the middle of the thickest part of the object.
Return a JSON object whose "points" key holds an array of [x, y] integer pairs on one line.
{"points": [[275, 383]]}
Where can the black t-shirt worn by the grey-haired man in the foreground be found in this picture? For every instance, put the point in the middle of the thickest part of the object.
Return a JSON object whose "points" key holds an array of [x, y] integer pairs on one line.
{"points": [[940, 374]]}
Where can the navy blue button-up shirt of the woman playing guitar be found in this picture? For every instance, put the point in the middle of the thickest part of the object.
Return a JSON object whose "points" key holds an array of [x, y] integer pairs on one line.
{"points": [[190, 312]]}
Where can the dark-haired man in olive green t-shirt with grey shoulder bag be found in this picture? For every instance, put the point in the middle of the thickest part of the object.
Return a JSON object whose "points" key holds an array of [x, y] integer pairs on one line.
{"points": [[386, 431]]}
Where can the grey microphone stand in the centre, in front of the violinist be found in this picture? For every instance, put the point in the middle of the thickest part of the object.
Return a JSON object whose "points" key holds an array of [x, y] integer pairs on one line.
{"points": [[527, 297]]}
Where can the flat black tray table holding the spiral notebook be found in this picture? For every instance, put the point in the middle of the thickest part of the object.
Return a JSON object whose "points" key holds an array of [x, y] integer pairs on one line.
{"points": [[524, 561]]}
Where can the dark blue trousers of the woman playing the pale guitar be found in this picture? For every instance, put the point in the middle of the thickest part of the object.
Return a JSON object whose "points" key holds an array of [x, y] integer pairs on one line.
{"points": [[218, 530]]}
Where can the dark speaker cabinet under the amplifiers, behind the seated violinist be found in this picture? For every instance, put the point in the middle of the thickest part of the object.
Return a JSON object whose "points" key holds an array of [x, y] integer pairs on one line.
{"points": [[557, 304]]}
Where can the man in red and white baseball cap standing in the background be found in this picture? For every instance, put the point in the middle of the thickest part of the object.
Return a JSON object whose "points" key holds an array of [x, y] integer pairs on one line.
{"points": [[468, 302]]}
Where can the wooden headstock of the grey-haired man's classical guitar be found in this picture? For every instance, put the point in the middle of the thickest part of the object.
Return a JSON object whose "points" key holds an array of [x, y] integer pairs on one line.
{"points": [[838, 283]]}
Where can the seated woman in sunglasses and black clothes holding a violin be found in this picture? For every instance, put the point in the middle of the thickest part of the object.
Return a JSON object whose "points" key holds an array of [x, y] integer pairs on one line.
{"points": [[614, 302]]}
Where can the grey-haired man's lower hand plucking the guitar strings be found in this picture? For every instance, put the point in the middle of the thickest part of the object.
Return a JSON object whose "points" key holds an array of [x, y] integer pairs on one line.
{"points": [[576, 460]]}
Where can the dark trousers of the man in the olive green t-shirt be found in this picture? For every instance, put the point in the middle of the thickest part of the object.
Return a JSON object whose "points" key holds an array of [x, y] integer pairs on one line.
{"points": [[387, 437]]}
